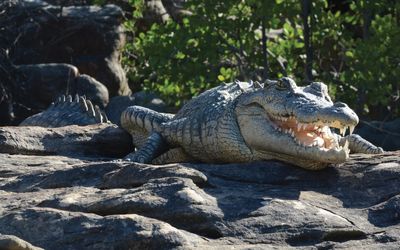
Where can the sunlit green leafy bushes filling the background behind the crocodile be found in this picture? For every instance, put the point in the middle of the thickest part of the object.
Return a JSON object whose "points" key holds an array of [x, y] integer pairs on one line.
{"points": [[355, 51]]}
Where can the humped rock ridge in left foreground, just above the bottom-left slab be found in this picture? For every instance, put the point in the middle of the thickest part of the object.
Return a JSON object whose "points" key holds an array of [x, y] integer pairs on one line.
{"points": [[174, 200]]}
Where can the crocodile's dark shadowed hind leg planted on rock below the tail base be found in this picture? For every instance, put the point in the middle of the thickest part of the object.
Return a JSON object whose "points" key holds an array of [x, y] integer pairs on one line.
{"points": [[154, 147]]}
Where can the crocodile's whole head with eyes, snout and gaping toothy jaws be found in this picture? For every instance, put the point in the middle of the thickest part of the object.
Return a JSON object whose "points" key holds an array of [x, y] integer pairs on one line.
{"points": [[294, 124]]}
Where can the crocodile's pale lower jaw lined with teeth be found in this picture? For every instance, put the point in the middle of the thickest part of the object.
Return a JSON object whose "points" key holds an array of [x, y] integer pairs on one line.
{"points": [[271, 138]]}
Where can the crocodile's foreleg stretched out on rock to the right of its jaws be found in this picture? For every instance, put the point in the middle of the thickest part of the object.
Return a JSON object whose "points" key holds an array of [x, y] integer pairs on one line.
{"points": [[357, 144]]}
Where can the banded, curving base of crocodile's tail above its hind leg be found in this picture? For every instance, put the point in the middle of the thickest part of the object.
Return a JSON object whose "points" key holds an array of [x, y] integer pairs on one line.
{"points": [[140, 122]]}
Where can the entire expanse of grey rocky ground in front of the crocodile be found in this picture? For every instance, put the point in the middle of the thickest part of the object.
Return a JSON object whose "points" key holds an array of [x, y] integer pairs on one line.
{"points": [[60, 202]]}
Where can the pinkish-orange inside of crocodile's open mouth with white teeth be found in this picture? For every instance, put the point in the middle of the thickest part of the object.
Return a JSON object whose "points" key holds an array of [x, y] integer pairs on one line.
{"points": [[317, 134]]}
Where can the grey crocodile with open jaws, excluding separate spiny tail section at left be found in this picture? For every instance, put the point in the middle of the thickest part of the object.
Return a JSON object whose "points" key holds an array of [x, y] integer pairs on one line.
{"points": [[242, 122]]}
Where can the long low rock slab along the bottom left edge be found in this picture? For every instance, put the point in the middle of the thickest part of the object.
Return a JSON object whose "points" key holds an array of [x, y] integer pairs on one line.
{"points": [[73, 230]]}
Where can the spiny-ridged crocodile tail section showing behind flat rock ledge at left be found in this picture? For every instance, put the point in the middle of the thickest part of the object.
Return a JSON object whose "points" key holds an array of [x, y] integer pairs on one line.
{"points": [[67, 110]]}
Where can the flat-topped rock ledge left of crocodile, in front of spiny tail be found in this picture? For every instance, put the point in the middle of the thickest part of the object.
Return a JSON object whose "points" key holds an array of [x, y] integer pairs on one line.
{"points": [[103, 139]]}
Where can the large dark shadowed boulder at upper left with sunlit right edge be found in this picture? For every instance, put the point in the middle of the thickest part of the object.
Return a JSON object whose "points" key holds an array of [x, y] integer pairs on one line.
{"points": [[88, 37]]}
